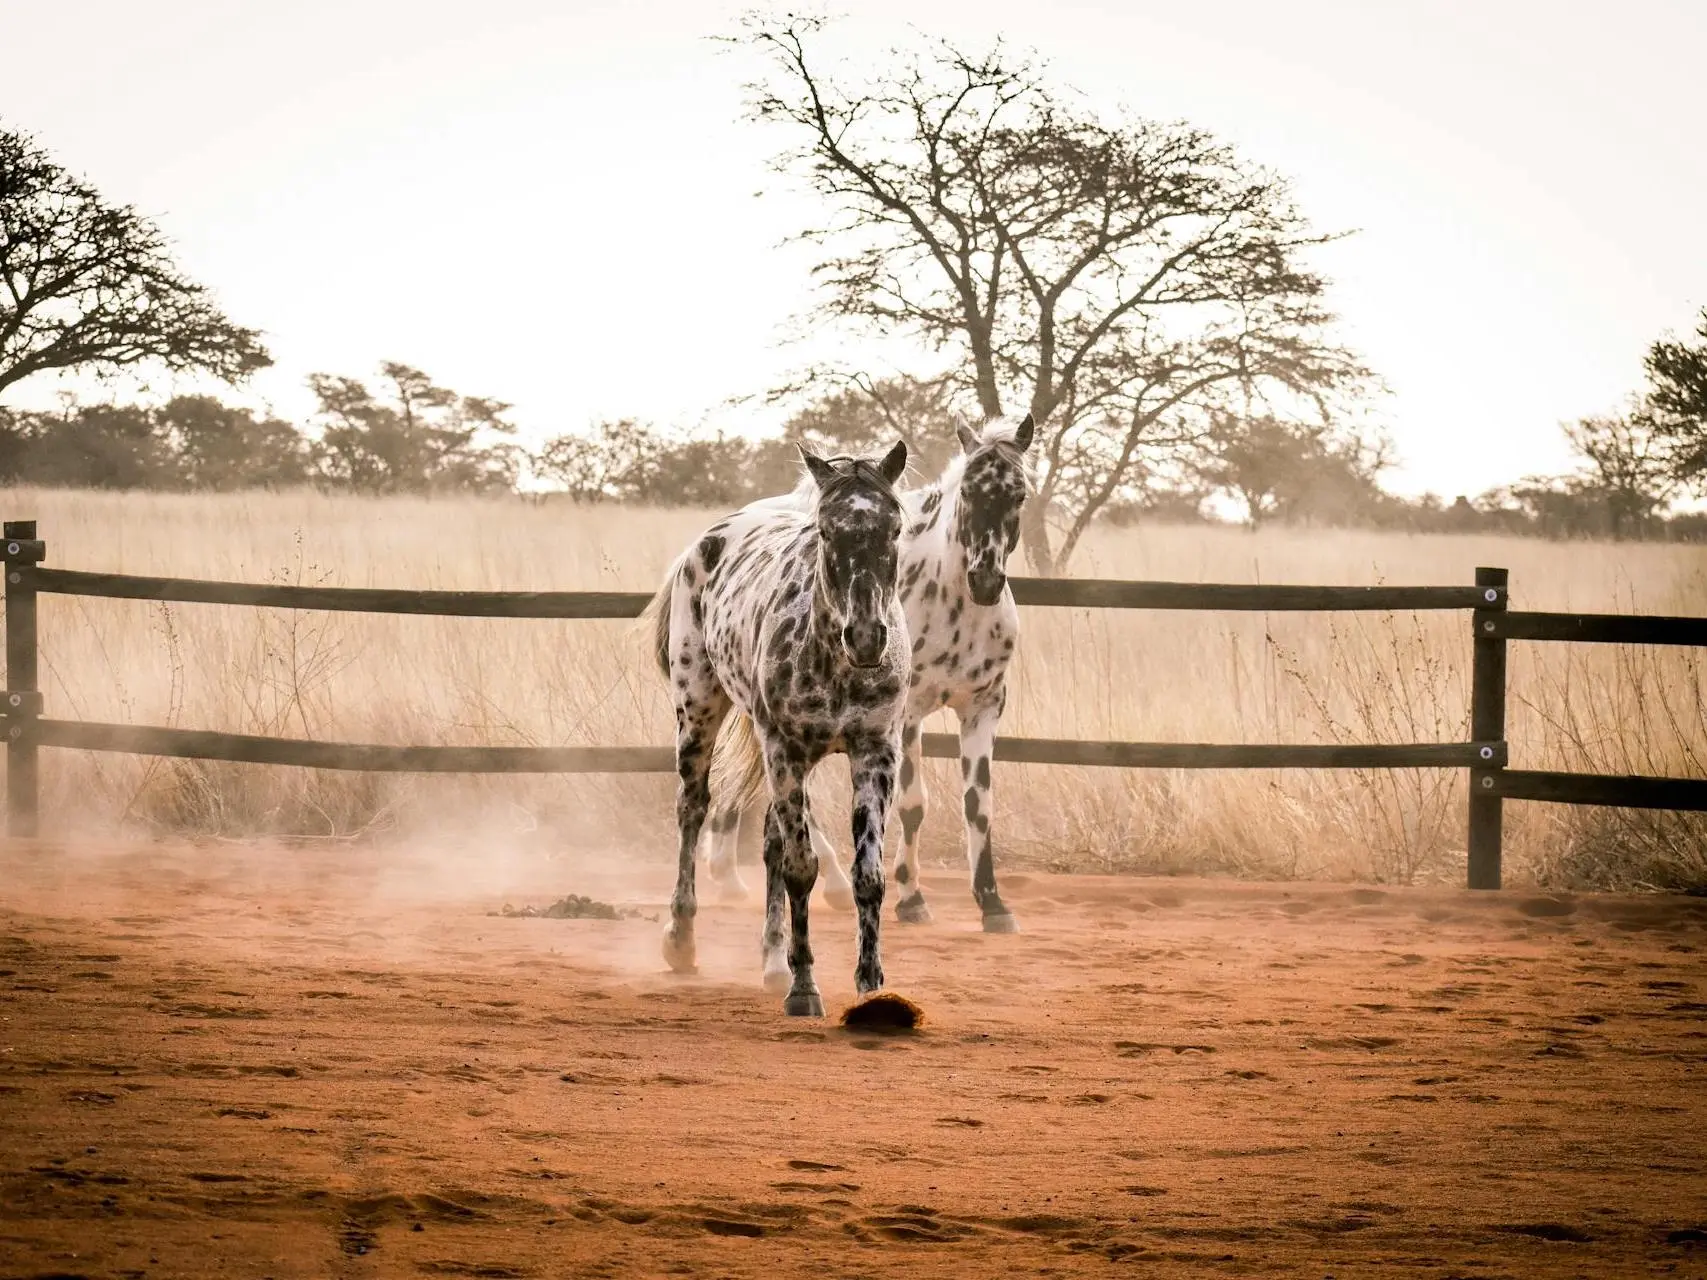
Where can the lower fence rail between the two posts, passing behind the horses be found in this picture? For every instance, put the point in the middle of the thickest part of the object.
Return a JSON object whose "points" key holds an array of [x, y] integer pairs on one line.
{"points": [[363, 757]]}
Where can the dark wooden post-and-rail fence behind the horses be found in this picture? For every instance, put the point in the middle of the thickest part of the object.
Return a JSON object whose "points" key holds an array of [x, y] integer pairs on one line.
{"points": [[1484, 757]]}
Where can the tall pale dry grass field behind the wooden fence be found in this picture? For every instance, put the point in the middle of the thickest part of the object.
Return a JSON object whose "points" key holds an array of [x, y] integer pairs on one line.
{"points": [[1158, 677]]}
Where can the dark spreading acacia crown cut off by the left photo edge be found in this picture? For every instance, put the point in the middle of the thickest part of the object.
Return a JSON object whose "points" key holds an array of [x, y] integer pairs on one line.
{"points": [[91, 286]]}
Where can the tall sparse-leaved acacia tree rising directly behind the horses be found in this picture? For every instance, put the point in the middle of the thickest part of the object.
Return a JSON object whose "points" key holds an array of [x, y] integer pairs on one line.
{"points": [[1119, 277]]}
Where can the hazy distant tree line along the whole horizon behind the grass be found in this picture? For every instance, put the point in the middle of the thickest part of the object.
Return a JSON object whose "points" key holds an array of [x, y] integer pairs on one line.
{"points": [[405, 434]]}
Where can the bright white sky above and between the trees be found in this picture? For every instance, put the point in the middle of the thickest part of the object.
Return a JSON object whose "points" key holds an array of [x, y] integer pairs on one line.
{"points": [[557, 204]]}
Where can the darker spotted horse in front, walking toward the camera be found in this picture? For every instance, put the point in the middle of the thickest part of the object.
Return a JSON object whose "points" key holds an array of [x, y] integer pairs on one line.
{"points": [[789, 614]]}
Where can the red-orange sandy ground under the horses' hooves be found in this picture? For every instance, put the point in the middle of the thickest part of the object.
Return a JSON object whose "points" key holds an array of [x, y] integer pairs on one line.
{"points": [[247, 1062]]}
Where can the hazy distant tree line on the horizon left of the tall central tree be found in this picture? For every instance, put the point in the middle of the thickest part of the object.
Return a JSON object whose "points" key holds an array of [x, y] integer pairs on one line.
{"points": [[405, 434]]}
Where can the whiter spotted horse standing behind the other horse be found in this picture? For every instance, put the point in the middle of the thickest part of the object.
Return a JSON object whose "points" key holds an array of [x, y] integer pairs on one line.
{"points": [[964, 627]]}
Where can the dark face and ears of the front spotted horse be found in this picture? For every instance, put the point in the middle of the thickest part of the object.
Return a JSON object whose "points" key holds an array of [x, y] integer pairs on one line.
{"points": [[859, 535]]}
